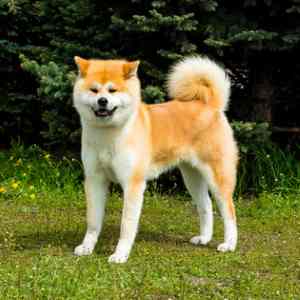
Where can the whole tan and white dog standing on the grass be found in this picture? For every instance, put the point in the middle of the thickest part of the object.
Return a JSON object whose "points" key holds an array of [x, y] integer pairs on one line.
{"points": [[129, 142]]}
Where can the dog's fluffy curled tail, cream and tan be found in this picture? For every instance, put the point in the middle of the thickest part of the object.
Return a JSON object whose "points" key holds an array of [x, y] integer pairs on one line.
{"points": [[199, 78]]}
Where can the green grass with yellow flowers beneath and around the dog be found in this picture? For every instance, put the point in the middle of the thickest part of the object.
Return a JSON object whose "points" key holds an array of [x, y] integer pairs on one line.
{"points": [[42, 217]]}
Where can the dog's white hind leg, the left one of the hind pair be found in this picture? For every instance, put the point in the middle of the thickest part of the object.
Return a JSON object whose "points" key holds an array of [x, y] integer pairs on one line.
{"points": [[198, 188]]}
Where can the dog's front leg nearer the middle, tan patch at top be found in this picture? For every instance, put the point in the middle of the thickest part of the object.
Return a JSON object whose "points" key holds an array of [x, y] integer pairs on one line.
{"points": [[133, 202]]}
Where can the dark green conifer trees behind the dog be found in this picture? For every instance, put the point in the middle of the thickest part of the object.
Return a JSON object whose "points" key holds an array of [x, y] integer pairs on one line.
{"points": [[257, 41]]}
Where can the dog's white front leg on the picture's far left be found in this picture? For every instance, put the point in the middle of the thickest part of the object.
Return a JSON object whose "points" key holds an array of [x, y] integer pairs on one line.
{"points": [[96, 188]]}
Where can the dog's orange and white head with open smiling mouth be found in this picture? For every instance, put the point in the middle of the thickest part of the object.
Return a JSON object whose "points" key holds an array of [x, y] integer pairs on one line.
{"points": [[106, 92]]}
